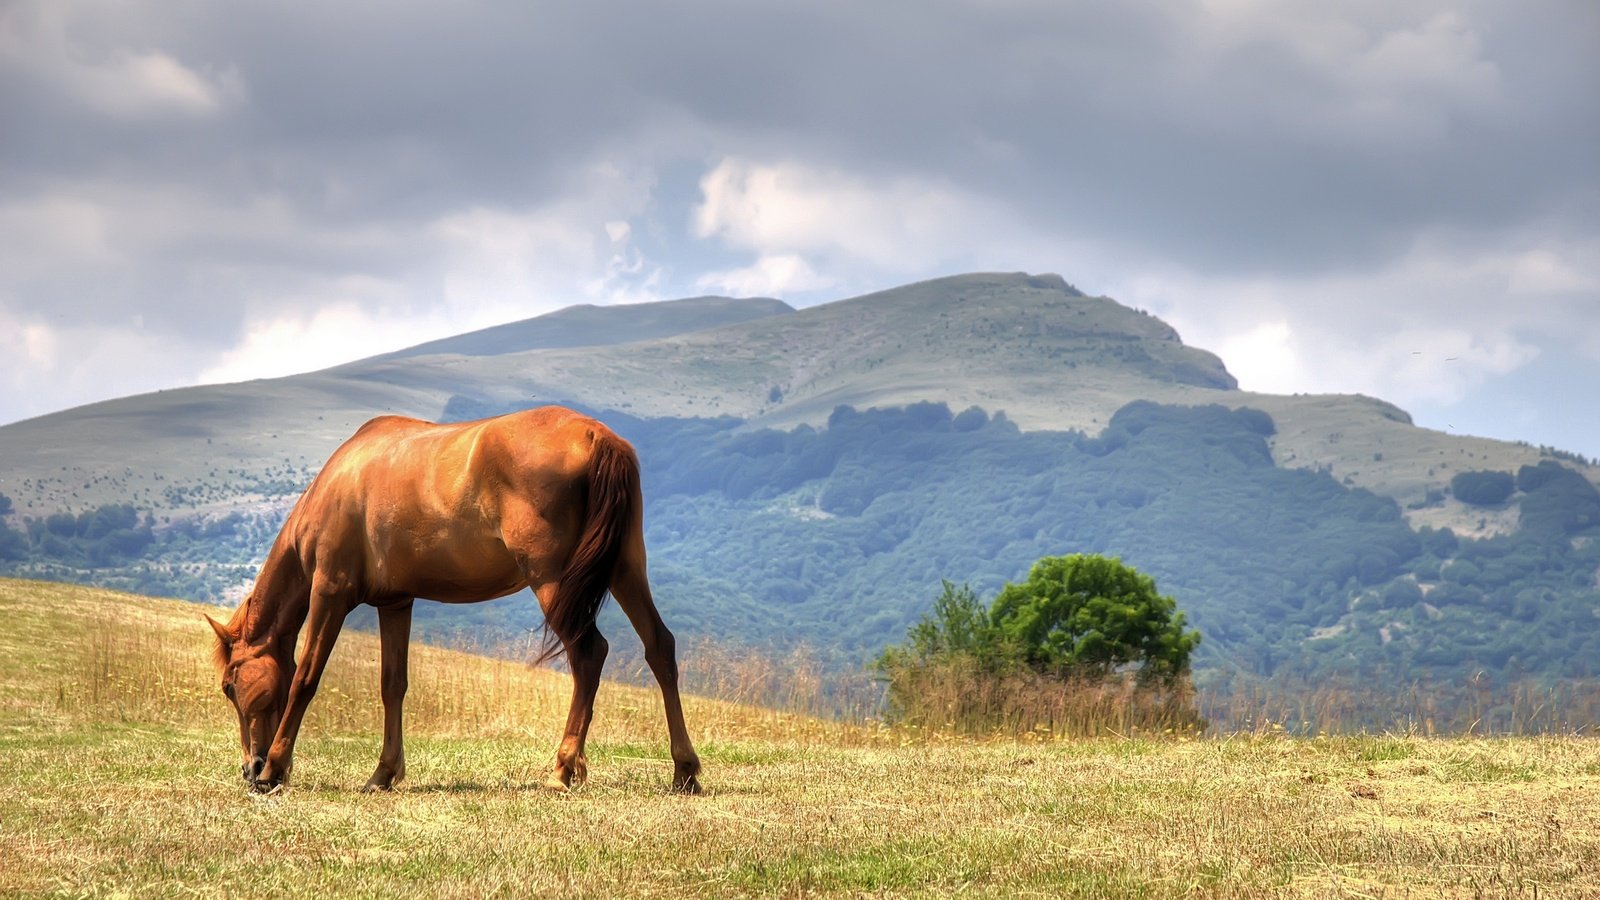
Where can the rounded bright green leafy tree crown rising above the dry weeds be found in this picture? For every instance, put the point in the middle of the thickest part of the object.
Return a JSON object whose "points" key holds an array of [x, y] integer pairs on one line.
{"points": [[1094, 614]]}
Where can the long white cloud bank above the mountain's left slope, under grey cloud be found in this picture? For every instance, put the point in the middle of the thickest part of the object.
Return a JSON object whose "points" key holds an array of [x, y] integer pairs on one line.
{"points": [[238, 287]]}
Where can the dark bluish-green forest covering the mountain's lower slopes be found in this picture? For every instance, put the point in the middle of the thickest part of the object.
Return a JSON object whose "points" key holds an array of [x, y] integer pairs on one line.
{"points": [[841, 537]]}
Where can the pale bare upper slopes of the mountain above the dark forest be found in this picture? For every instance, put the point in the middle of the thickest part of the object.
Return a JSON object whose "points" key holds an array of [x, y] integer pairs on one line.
{"points": [[1031, 347]]}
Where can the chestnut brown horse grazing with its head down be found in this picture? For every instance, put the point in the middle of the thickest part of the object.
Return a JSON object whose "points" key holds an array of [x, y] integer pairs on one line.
{"points": [[458, 513]]}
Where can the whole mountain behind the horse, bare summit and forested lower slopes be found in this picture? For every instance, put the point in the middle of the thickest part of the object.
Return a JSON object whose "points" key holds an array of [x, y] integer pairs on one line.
{"points": [[1015, 417]]}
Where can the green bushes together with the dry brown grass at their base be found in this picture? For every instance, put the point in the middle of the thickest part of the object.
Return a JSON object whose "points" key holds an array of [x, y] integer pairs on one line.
{"points": [[1086, 646]]}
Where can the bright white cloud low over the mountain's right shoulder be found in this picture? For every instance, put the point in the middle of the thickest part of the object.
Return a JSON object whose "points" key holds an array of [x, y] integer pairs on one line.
{"points": [[1428, 329]]}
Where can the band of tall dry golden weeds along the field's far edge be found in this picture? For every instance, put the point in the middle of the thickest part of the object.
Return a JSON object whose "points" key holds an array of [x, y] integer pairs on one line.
{"points": [[148, 672]]}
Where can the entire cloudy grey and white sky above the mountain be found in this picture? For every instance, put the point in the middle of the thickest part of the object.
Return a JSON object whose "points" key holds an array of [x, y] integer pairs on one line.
{"points": [[1388, 198]]}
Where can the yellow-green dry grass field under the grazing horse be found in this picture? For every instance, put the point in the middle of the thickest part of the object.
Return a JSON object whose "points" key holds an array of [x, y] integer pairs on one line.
{"points": [[119, 777]]}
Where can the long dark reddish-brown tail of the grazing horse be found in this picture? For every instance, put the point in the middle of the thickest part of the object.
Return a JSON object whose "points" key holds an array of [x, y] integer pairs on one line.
{"points": [[614, 492]]}
